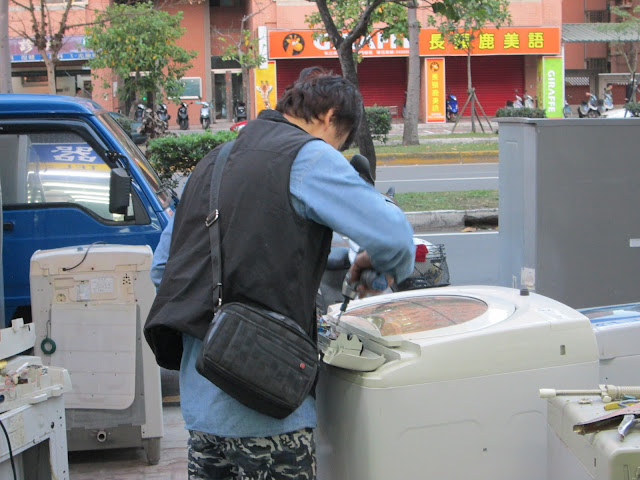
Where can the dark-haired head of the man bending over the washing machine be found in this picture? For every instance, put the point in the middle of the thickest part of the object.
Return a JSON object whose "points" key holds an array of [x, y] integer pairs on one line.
{"points": [[318, 97]]}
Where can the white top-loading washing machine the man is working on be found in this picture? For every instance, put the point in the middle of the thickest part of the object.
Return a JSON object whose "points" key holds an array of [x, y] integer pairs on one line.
{"points": [[443, 384]]}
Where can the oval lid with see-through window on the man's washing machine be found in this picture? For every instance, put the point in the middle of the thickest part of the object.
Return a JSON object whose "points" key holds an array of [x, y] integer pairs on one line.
{"points": [[416, 315]]}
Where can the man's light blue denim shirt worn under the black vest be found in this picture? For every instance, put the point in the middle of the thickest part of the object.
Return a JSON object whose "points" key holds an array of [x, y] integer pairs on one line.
{"points": [[326, 189]]}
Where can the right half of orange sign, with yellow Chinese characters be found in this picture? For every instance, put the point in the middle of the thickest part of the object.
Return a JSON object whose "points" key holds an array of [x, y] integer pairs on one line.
{"points": [[494, 41]]}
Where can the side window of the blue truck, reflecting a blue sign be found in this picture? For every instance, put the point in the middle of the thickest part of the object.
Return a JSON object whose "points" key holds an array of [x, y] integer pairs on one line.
{"points": [[54, 167]]}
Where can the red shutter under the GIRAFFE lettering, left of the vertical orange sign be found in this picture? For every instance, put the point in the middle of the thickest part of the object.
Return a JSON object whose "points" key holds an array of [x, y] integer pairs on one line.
{"points": [[383, 81]]}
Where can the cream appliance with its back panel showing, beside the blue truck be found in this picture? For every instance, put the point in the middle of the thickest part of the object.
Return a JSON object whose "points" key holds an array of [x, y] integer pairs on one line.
{"points": [[89, 306]]}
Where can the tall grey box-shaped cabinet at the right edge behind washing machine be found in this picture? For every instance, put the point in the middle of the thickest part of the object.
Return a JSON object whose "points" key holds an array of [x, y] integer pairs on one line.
{"points": [[569, 216]]}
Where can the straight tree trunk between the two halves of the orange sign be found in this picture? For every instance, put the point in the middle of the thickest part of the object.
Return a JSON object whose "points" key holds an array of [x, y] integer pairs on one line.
{"points": [[410, 133]]}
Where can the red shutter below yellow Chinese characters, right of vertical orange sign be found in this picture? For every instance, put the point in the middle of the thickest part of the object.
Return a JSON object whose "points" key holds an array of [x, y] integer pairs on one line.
{"points": [[495, 79]]}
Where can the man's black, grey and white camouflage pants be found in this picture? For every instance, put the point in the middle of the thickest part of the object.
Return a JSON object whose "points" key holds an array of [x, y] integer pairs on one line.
{"points": [[287, 456]]}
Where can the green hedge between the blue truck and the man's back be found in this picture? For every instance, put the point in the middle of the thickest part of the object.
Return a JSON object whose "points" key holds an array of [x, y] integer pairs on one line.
{"points": [[178, 155]]}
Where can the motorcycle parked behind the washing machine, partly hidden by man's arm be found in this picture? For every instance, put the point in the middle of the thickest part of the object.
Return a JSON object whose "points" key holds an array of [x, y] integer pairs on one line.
{"points": [[431, 269]]}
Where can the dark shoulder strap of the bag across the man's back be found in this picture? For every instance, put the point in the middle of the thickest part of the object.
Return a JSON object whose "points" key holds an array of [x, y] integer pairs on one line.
{"points": [[211, 221]]}
